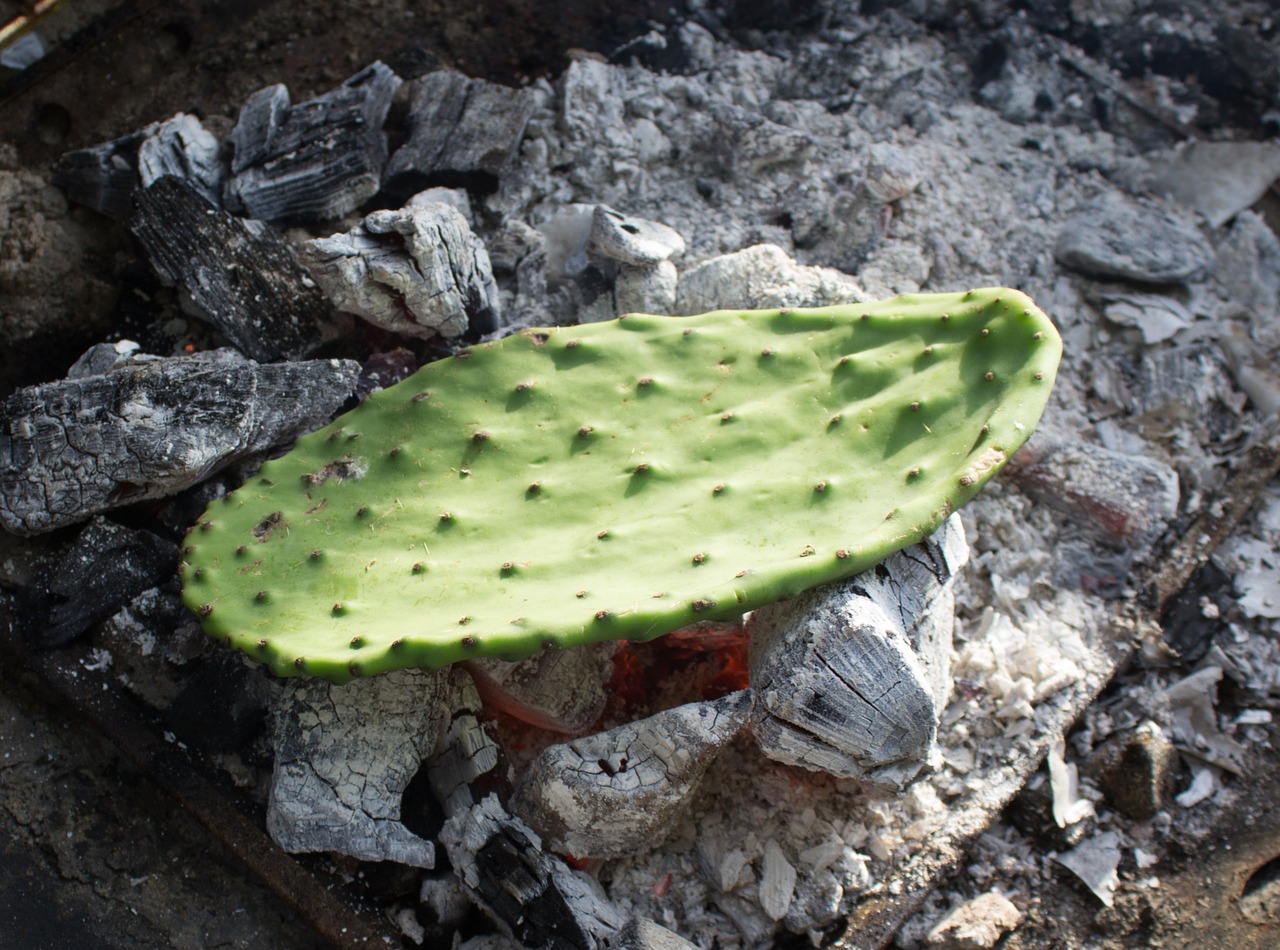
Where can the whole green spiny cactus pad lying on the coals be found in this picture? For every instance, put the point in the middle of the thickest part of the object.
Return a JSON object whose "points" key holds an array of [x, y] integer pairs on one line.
{"points": [[619, 481]]}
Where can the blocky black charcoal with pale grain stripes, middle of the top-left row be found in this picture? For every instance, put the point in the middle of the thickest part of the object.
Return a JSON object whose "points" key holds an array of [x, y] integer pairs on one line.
{"points": [[316, 161]]}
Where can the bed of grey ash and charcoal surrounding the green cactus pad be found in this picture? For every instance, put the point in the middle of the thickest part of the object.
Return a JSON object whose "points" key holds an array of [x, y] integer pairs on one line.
{"points": [[817, 770]]}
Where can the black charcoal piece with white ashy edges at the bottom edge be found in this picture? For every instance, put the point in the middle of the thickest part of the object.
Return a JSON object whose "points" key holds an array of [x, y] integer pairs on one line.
{"points": [[536, 897]]}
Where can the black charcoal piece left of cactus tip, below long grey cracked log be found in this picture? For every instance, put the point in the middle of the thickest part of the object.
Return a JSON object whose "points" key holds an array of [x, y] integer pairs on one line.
{"points": [[107, 568]]}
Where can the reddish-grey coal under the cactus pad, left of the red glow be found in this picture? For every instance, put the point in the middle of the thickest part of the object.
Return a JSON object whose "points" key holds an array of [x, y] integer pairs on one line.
{"points": [[557, 691]]}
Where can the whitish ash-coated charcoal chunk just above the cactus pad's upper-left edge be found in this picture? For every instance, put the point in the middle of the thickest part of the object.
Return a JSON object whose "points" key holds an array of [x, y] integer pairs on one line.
{"points": [[419, 272]]}
